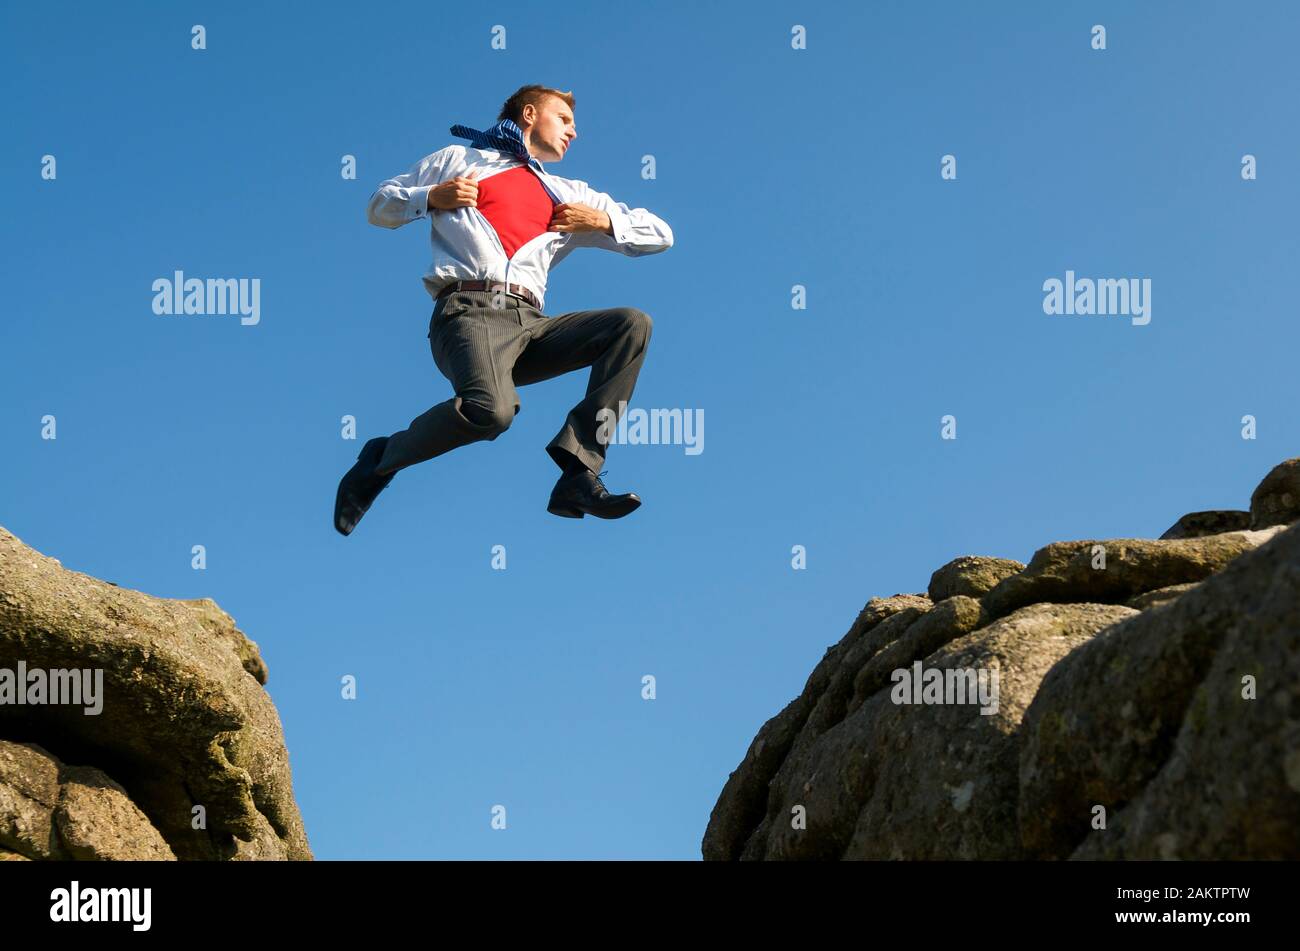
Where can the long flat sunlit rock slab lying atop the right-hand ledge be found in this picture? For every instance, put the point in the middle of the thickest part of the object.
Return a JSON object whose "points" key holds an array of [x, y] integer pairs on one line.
{"points": [[1064, 572]]}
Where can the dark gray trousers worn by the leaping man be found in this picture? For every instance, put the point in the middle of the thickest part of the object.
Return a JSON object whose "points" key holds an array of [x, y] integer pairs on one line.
{"points": [[487, 353]]}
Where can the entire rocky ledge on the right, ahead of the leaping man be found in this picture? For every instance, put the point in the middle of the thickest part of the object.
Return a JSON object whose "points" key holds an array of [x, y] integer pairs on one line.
{"points": [[1113, 700]]}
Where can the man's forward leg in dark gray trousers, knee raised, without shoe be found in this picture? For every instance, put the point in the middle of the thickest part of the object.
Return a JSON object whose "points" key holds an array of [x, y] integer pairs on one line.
{"points": [[612, 342]]}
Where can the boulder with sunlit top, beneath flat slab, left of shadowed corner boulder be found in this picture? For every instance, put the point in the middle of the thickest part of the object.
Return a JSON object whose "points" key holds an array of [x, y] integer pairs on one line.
{"points": [[915, 781]]}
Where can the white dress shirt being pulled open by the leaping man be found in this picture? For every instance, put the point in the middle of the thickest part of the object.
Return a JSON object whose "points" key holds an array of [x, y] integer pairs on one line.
{"points": [[466, 246]]}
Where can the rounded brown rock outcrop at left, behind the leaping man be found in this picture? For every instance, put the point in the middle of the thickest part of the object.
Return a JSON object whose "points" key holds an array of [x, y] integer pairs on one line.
{"points": [[185, 719]]}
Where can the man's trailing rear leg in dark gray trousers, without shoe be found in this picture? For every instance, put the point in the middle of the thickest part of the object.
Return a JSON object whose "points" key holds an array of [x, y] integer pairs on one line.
{"points": [[475, 349]]}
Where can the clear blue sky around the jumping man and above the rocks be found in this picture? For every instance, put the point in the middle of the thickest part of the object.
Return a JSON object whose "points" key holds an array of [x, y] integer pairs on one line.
{"points": [[775, 168]]}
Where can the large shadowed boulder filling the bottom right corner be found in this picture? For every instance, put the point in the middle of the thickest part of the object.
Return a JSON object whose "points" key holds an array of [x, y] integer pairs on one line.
{"points": [[1149, 722]]}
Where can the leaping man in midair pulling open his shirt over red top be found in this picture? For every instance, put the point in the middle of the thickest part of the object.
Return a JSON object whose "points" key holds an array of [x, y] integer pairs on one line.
{"points": [[500, 222]]}
